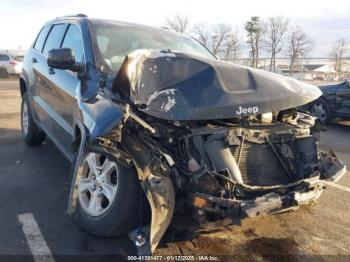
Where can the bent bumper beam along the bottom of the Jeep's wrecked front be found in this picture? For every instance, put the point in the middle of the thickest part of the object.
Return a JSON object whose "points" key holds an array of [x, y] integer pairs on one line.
{"points": [[306, 192]]}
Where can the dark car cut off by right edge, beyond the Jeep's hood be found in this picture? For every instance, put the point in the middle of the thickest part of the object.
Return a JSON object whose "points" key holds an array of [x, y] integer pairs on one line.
{"points": [[334, 102]]}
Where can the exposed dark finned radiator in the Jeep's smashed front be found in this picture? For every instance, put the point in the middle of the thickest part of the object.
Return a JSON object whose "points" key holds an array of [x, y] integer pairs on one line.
{"points": [[259, 165]]}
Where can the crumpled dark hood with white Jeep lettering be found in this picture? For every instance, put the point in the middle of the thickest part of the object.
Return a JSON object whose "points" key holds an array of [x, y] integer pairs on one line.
{"points": [[177, 86]]}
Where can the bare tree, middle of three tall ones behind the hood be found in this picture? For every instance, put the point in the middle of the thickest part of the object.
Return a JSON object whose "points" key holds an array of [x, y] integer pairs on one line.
{"points": [[276, 29]]}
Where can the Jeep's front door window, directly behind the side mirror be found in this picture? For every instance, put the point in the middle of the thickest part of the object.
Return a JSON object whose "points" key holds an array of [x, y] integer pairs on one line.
{"points": [[73, 40]]}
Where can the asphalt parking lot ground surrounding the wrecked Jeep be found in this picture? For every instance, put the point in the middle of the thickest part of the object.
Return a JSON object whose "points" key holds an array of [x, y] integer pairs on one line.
{"points": [[33, 198]]}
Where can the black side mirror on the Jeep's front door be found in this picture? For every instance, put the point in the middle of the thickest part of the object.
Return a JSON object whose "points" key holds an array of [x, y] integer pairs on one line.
{"points": [[63, 58]]}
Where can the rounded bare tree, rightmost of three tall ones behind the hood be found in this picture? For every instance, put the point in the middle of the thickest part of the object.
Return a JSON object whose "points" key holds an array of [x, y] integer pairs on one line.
{"points": [[299, 46]]}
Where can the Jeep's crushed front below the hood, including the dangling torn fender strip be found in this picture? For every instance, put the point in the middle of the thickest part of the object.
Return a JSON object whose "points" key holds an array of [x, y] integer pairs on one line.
{"points": [[245, 167]]}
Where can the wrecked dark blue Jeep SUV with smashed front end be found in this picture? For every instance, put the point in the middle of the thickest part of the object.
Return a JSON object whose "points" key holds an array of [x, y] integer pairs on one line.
{"points": [[153, 122]]}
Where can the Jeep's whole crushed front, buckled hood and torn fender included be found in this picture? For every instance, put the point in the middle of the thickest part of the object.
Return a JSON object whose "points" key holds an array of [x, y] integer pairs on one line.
{"points": [[215, 140]]}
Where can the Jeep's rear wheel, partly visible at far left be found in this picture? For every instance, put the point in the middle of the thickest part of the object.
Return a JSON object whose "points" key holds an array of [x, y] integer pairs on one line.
{"points": [[31, 133]]}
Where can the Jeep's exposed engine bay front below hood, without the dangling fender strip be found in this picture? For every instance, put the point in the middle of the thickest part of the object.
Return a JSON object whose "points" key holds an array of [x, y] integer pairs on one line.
{"points": [[225, 168]]}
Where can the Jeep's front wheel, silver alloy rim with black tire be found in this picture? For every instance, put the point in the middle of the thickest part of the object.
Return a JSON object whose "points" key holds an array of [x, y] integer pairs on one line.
{"points": [[108, 196]]}
